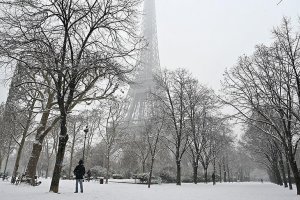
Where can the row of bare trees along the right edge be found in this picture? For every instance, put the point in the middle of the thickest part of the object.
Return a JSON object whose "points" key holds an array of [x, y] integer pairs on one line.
{"points": [[264, 89]]}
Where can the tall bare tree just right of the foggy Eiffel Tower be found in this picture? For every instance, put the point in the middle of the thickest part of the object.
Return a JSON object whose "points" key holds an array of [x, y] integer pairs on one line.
{"points": [[171, 95]]}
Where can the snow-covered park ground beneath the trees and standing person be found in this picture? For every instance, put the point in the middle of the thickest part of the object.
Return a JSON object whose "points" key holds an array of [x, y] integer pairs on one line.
{"points": [[126, 191]]}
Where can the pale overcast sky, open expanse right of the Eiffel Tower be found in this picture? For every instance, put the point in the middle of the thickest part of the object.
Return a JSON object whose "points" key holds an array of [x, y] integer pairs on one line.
{"points": [[208, 36]]}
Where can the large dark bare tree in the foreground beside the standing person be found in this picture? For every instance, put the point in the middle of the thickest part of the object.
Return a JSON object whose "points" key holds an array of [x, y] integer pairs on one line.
{"points": [[79, 43]]}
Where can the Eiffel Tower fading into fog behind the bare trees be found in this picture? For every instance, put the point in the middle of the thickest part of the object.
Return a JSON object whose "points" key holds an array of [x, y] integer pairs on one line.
{"points": [[148, 65]]}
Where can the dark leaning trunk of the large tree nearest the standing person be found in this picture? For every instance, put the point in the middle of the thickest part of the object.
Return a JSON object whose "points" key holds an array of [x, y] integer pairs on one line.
{"points": [[63, 139]]}
